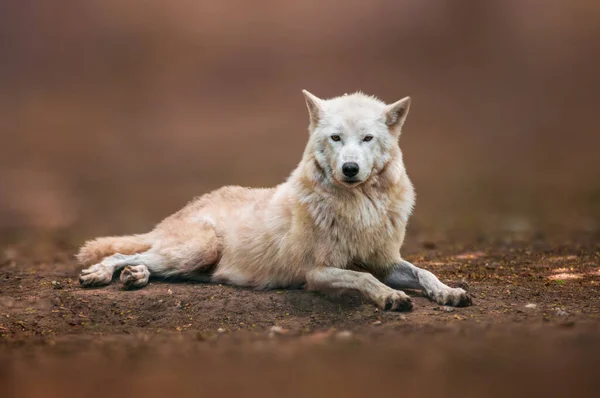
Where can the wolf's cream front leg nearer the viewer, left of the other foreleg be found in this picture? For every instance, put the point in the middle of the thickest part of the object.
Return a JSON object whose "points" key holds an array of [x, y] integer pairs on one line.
{"points": [[335, 279]]}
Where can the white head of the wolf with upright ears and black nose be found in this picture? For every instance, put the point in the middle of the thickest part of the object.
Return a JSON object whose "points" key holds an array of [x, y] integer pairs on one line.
{"points": [[354, 136]]}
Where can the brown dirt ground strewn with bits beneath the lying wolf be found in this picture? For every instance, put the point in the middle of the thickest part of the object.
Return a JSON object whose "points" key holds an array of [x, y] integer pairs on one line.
{"points": [[533, 330]]}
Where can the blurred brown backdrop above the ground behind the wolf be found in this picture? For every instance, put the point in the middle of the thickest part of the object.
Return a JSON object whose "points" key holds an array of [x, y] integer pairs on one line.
{"points": [[113, 113]]}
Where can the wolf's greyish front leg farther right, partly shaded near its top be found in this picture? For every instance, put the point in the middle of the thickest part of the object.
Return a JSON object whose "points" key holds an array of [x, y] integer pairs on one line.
{"points": [[407, 276]]}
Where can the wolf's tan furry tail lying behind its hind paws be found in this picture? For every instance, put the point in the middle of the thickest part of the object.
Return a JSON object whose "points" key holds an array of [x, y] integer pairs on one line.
{"points": [[93, 251]]}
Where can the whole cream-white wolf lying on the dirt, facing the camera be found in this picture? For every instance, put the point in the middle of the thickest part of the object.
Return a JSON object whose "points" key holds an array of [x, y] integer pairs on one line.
{"points": [[336, 224]]}
